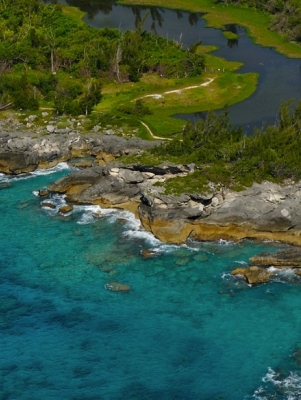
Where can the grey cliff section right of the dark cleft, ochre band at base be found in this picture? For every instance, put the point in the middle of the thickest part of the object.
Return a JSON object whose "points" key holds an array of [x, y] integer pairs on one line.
{"points": [[264, 212]]}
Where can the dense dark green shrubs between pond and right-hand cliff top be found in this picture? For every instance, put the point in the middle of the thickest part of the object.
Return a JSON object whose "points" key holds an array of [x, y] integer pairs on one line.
{"points": [[224, 154]]}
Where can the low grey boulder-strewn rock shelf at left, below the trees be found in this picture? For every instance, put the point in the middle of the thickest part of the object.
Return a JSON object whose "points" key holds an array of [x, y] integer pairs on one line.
{"points": [[21, 152]]}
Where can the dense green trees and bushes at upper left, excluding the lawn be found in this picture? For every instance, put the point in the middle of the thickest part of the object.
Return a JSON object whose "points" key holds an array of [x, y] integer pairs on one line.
{"points": [[47, 55]]}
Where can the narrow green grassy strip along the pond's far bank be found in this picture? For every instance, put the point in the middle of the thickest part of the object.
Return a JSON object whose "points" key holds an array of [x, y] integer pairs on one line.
{"points": [[218, 15]]}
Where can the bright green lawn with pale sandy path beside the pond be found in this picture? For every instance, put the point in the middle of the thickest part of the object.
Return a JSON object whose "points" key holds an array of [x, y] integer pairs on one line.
{"points": [[166, 97]]}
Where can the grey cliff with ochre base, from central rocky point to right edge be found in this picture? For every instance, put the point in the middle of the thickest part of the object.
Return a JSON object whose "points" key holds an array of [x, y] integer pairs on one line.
{"points": [[265, 211]]}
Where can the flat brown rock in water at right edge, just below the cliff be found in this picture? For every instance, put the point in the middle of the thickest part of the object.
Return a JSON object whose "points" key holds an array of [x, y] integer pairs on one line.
{"points": [[282, 259]]}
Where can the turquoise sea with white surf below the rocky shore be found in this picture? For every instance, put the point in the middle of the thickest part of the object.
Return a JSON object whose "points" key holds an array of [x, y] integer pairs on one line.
{"points": [[186, 330]]}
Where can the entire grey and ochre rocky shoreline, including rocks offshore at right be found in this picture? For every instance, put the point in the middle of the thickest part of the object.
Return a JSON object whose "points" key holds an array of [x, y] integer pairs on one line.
{"points": [[265, 211]]}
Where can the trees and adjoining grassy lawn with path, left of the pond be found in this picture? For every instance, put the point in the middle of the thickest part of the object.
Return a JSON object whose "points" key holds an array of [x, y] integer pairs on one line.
{"points": [[50, 58]]}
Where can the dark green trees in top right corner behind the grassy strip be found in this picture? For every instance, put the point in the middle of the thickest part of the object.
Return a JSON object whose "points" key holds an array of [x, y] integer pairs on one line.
{"points": [[286, 15]]}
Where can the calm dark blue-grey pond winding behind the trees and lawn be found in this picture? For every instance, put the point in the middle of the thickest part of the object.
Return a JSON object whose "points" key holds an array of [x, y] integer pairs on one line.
{"points": [[280, 77]]}
